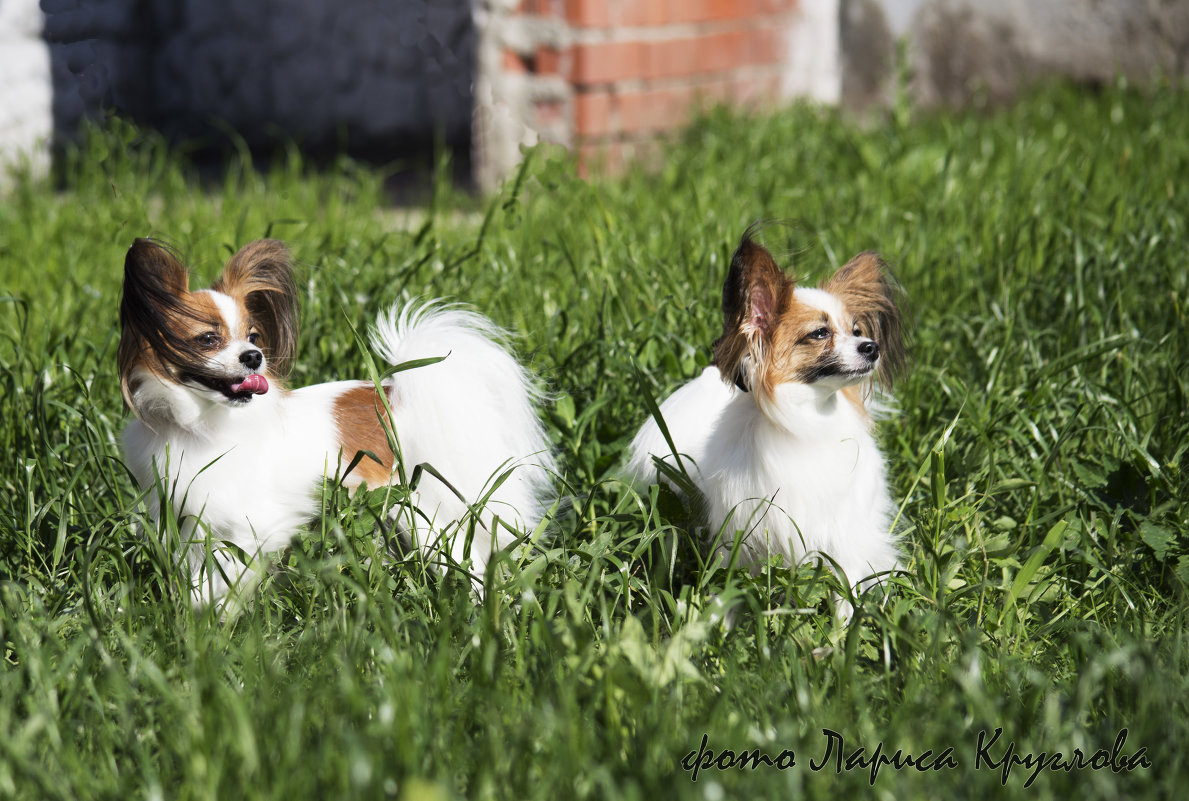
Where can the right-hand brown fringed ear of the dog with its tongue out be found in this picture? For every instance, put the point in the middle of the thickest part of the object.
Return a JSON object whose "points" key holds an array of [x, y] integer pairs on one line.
{"points": [[262, 275]]}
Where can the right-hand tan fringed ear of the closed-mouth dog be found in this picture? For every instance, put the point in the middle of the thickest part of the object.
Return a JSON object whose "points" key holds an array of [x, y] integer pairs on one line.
{"points": [[871, 293]]}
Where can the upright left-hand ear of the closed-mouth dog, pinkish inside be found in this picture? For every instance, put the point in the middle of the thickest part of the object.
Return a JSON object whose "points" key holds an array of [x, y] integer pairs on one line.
{"points": [[754, 294]]}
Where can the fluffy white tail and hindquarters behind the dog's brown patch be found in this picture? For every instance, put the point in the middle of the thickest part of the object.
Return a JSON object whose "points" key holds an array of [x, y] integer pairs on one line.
{"points": [[473, 418]]}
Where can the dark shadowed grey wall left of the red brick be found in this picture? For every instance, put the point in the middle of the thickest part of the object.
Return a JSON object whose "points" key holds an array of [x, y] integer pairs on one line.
{"points": [[378, 77]]}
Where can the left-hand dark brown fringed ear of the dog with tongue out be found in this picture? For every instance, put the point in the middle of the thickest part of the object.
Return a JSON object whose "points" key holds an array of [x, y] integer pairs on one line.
{"points": [[155, 287]]}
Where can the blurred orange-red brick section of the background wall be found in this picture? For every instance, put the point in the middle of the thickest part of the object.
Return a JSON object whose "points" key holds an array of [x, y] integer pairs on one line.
{"points": [[638, 68]]}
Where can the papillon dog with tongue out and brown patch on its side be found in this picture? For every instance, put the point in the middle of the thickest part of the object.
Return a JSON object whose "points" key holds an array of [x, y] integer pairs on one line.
{"points": [[242, 459]]}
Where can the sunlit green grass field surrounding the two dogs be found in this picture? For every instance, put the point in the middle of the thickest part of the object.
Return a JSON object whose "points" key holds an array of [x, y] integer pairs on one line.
{"points": [[1039, 451]]}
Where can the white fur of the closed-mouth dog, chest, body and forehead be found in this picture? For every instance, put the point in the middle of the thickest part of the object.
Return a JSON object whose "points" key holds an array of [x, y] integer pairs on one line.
{"points": [[801, 477]]}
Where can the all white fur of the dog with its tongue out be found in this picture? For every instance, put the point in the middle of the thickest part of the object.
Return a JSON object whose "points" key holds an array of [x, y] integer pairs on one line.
{"points": [[253, 474]]}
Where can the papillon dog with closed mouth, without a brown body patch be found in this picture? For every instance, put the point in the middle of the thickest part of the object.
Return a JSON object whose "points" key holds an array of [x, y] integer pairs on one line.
{"points": [[777, 433]]}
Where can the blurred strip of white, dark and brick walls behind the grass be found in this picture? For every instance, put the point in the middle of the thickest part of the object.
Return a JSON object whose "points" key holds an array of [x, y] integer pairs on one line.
{"points": [[398, 81]]}
